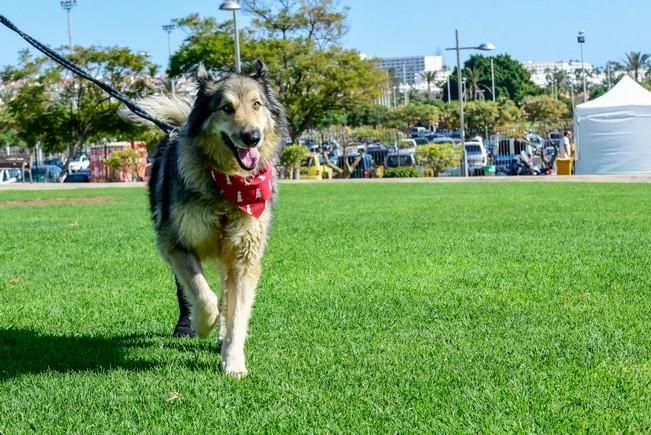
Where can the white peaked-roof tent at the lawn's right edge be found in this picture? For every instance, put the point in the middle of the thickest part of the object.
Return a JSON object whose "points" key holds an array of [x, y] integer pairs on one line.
{"points": [[613, 132]]}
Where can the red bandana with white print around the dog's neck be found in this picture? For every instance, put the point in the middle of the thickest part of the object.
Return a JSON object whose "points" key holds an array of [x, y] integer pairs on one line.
{"points": [[250, 194]]}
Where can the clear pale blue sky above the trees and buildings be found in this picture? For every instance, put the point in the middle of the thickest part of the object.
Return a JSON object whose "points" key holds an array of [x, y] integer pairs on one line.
{"points": [[525, 29]]}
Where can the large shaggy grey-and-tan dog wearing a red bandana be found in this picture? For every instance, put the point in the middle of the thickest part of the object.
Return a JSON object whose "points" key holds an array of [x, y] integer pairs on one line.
{"points": [[211, 195]]}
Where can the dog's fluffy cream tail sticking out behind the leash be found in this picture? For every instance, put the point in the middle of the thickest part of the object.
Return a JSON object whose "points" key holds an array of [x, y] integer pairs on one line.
{"points": [[171, 109]]}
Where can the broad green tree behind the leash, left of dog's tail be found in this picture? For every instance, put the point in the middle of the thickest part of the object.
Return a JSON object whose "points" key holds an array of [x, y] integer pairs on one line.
{"points": [[60, 111]]}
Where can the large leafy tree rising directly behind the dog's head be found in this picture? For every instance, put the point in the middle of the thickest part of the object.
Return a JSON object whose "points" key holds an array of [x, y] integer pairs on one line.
{"points": [[298, 42]]}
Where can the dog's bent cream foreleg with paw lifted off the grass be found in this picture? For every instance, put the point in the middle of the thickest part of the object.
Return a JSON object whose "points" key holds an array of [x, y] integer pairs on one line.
{"points": [[203, 302]]}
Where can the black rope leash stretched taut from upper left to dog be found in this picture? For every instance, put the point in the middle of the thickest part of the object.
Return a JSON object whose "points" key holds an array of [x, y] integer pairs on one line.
{"points": [[167, 128]]}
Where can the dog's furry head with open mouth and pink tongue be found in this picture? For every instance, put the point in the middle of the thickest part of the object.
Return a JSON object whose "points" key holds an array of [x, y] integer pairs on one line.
{"points": [[236, 120]]}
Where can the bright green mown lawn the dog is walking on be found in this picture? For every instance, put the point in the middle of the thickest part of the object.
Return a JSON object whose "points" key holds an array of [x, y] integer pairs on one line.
{"points": [[480, 307]]}
